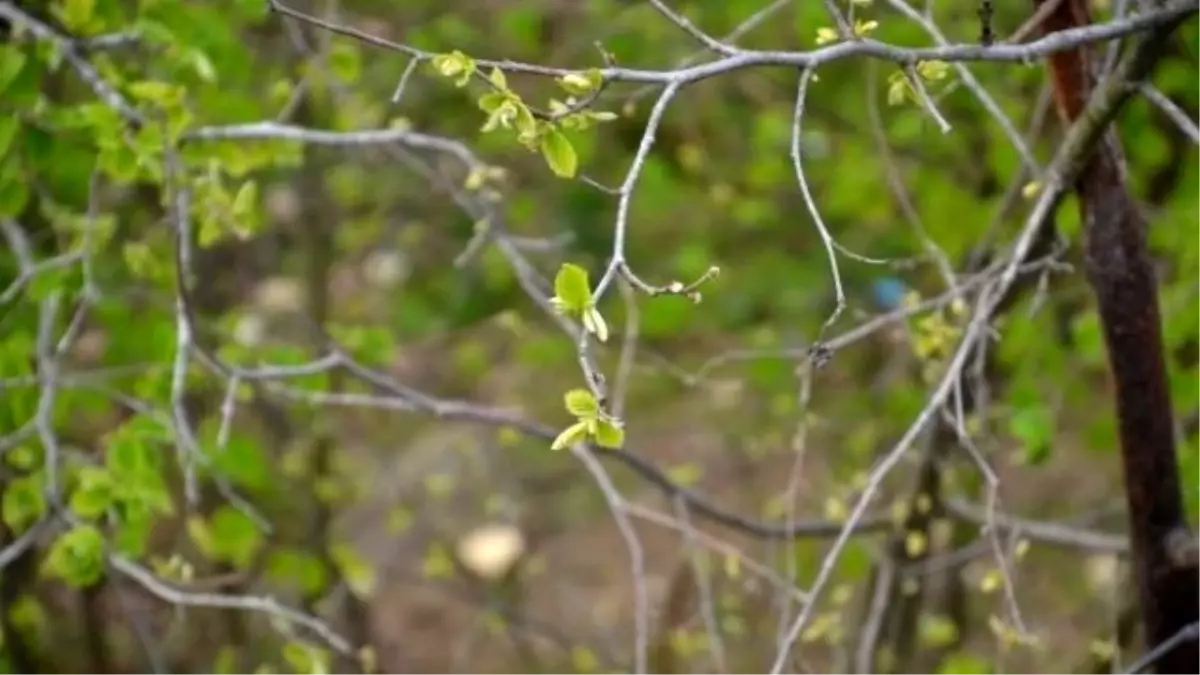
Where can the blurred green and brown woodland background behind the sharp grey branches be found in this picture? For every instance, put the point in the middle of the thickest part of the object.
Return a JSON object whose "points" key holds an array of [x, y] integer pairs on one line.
{"points": [[412, 513]]}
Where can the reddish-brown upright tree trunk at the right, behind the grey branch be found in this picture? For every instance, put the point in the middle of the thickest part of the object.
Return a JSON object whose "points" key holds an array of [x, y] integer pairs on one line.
{"points": [[1123, 278]]}
